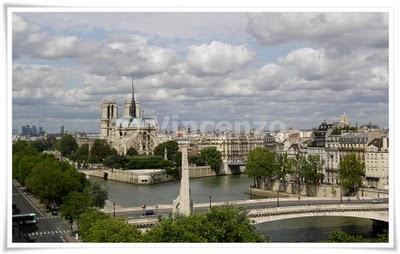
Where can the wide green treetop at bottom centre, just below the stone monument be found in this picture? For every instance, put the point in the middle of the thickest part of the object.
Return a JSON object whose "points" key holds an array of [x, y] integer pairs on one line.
{"points": [[221, 224]]}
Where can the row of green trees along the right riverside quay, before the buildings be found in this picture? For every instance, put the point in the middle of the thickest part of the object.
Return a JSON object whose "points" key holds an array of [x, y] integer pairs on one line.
{"points": [[266, 166]]}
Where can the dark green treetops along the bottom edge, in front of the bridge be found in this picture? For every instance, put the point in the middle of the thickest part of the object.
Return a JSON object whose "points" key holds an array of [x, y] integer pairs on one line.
{"points": [[220, 224]]}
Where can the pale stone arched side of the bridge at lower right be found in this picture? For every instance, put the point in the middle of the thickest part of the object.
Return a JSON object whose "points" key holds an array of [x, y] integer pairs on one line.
{"points": [[379, 212]]}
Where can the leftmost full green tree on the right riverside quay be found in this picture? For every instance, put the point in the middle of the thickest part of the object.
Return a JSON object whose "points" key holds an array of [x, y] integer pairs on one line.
{"points": [[261, 164]]}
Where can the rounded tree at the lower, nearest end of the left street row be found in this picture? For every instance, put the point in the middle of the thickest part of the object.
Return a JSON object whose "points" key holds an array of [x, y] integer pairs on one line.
{"points": [[75, 204]]}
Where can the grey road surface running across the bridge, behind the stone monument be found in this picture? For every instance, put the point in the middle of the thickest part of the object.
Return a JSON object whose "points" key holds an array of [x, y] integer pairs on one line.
{"points": [[259, 205]]}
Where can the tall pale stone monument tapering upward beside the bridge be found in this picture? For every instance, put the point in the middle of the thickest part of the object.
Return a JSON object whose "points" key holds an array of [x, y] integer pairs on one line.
{"points": [[183, 204]]}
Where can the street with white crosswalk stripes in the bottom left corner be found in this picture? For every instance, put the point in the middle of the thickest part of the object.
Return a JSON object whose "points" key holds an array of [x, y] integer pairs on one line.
{"points": [[48, 228]]}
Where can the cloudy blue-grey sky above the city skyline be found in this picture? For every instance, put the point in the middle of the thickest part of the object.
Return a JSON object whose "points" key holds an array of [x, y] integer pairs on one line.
{"points": [[295, 68]]}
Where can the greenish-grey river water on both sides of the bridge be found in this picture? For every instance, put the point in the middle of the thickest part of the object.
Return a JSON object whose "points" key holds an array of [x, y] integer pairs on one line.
{"points": [[228, 188]]}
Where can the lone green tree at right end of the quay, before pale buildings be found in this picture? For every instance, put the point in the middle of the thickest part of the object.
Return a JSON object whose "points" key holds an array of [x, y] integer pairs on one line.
{"points": [[351, 172]]}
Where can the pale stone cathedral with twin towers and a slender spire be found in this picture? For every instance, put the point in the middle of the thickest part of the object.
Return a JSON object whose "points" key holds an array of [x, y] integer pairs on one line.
{"points": [[130, 130]]}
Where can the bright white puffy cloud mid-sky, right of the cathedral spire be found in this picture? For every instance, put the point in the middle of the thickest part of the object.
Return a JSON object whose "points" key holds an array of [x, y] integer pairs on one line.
{"points": [[218, 58]]}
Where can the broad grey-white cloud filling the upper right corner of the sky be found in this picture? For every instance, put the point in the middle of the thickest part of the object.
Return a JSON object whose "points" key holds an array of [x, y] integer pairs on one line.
{"points": [[339, 30]]}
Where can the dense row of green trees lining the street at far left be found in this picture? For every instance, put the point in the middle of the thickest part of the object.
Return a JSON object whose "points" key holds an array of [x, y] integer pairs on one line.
{"points": [[51, 180]]}
